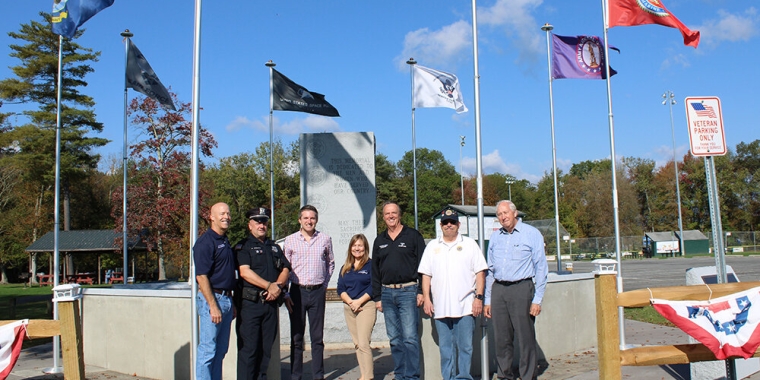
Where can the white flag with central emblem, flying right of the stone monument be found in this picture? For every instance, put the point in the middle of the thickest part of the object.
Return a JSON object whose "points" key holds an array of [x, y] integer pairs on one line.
{"points": [[433, 88]]}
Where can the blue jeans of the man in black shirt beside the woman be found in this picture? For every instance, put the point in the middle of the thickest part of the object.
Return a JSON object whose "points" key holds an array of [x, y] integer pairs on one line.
{"points": [[402, 318]]}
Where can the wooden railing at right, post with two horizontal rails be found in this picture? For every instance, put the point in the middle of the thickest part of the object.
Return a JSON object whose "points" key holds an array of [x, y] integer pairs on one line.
{"points": [[611, 357]]}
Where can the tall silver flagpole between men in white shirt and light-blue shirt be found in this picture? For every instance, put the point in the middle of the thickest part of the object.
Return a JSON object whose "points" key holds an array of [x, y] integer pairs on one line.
{"points": [[484, 365]]}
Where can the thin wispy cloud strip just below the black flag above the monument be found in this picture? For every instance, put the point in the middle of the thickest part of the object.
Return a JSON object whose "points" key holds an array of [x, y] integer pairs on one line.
{"points": [[311, 123]]}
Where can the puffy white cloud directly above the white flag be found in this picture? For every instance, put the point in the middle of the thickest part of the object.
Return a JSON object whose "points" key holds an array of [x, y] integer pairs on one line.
{"points": [[436, 47]]}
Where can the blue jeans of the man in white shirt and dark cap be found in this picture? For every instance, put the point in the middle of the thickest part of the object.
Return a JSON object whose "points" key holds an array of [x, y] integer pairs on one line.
{"points": [[455, 343]]}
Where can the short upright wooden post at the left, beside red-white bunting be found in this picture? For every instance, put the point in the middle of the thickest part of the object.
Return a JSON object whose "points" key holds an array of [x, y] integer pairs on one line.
{"points": [[71, 340]]}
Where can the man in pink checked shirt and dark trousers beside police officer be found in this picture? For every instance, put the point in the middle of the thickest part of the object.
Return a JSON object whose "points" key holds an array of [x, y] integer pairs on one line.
{"points": [[310, 254]]}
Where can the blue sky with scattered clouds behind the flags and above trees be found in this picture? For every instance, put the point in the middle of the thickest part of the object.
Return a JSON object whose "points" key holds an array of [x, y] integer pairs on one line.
{"points": [[354, 52]]}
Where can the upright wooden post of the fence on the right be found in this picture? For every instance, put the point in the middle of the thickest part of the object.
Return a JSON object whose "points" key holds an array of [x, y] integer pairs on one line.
{"points": [[607, 328]]}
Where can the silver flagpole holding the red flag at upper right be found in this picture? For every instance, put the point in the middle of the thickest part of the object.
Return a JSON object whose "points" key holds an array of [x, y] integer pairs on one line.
{"points": [[621, 315]]}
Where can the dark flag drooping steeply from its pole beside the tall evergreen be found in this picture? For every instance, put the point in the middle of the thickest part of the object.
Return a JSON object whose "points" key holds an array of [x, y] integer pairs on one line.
{"points": [[142, 78]]}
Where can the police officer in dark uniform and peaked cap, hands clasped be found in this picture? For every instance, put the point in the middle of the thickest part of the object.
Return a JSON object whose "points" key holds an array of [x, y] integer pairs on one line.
{"points": [[264, 272]]}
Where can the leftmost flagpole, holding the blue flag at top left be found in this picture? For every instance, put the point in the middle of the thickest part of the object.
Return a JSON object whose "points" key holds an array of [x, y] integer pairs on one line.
{"points": [[56, 205]]}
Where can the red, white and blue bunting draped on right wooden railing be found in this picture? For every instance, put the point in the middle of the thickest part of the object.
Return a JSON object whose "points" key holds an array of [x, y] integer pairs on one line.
{"points": [[728, 325]]}
